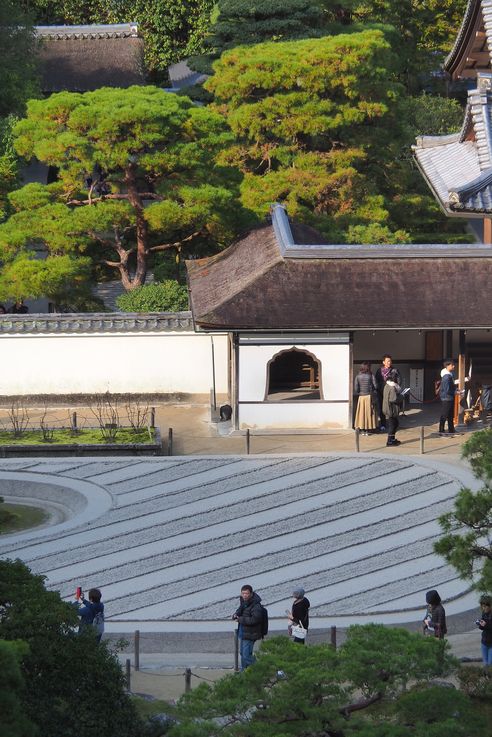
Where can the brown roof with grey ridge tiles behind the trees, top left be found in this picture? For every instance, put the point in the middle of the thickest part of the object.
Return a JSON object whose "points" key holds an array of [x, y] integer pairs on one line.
{"points": [[82, 58]]}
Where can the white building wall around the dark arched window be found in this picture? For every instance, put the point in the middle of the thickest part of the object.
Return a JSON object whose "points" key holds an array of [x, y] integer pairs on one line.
{"points": [[332, 411]]}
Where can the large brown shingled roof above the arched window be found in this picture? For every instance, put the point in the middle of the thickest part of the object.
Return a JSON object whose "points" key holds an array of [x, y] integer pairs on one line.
{"points": [[277, 278]]}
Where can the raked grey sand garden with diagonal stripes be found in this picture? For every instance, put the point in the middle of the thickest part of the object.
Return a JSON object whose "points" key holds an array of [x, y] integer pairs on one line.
{"points": [[170, 540]]}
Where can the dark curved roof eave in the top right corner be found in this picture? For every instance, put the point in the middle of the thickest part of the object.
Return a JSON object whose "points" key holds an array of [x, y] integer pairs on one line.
{"points": [[477, 18]]}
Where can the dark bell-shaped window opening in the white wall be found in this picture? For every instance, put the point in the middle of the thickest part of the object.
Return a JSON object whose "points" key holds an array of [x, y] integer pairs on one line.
{"points": [[293, 374]]}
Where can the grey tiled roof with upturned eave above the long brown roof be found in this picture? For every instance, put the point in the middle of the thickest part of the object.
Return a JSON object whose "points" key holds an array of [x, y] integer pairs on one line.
{"points": [[458, 168]]}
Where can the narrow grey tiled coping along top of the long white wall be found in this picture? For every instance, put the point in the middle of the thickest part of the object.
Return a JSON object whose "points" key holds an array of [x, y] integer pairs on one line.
{"points": [[105, 322]]}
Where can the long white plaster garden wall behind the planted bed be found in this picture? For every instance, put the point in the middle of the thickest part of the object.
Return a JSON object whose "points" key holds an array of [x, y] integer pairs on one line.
{"points": [[119, 363]]}
